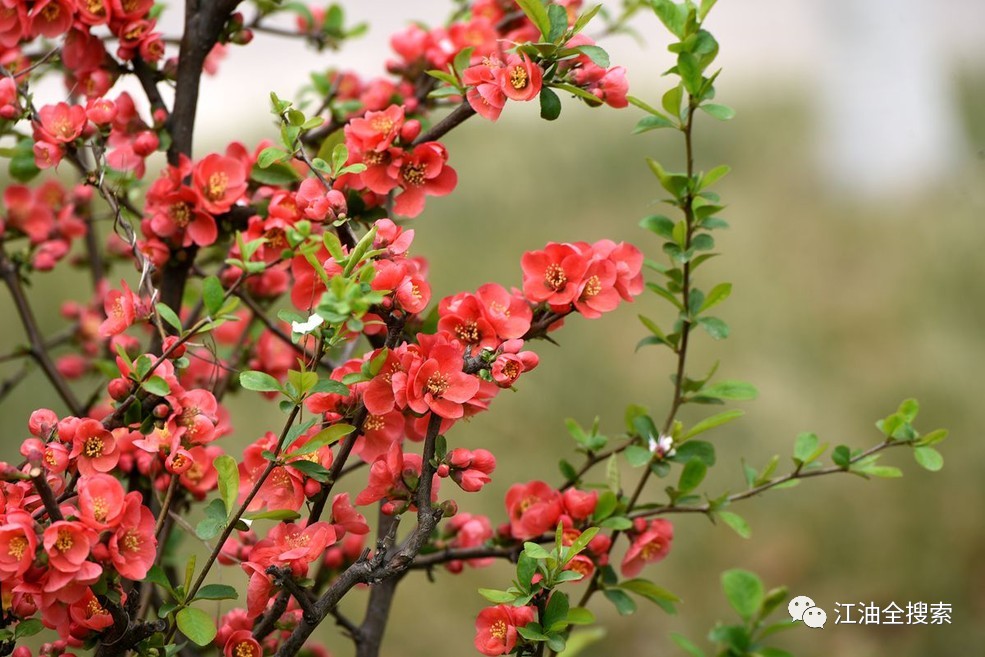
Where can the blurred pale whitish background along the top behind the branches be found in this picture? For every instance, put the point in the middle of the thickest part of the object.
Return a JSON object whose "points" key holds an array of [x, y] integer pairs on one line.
{"points": [[881, 72]]}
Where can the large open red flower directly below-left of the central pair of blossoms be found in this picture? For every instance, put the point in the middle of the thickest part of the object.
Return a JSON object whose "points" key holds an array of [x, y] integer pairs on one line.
{"points": [[440, 385]]}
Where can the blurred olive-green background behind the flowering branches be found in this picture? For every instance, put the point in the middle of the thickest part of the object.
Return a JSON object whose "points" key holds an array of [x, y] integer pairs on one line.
{"points": [[841, 308]]}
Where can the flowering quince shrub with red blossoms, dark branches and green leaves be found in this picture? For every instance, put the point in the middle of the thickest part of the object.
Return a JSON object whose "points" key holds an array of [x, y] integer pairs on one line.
{"points": [[284, 270]]}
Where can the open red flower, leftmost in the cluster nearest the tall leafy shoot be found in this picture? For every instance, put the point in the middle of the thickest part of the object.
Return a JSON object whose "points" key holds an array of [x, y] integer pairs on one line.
{"points": [[553, 275]]}
